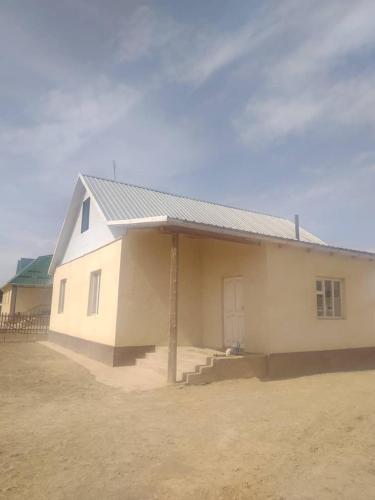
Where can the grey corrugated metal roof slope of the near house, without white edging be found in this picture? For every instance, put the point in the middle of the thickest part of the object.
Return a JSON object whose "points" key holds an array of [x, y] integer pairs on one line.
{"points": [[120, 202]]}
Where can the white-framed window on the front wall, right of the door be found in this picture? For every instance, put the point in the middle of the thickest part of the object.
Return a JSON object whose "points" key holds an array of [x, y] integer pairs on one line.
{"points": [[329, 298]]}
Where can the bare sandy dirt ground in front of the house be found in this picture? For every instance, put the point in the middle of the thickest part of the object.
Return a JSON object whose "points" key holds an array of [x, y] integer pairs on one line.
{"points": [[65, 436]]}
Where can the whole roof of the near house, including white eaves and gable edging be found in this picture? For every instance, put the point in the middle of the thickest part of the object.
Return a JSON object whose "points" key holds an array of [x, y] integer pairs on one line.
{"points": [[124, 206]]}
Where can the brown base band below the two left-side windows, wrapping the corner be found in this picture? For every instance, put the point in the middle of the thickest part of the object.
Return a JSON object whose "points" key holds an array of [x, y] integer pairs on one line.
{"points": [[109, 355]]}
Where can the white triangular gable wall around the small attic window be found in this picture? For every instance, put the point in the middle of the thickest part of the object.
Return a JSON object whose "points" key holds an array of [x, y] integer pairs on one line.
{"points": [[96, 236]]}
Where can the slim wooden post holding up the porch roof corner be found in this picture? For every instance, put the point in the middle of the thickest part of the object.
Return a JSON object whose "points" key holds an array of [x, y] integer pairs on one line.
{"points": [[173, 300]]}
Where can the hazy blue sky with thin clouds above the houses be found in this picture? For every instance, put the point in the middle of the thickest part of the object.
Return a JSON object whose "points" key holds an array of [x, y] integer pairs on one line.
{"points": [[268, 106]]}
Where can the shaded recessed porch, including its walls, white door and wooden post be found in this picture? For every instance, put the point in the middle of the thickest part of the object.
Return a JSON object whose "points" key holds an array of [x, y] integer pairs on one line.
{"points": [[179, 289]]}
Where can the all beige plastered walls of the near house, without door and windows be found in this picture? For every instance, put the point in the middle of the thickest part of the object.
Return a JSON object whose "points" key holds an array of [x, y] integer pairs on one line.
{"points": [[279, 294]]}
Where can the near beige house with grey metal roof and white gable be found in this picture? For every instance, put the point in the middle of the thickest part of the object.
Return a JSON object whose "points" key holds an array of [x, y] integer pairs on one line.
{"points": [[135, 268]]}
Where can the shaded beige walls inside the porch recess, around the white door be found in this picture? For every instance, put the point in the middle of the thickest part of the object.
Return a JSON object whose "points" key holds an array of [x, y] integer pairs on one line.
{"points": [[144, 289]]}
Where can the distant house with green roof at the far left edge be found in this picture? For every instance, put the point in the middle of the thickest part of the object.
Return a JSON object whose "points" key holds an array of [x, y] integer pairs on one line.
{"points": [[30, 290]]}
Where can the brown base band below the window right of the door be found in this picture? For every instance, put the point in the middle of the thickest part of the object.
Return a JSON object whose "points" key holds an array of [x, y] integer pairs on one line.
{"points": [[294, 364]]}
